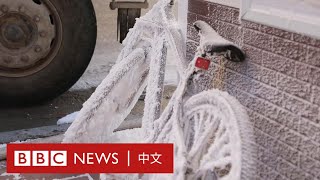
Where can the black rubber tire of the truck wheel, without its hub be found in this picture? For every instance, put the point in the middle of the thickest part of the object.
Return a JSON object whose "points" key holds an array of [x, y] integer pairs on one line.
{"points": [[79, 31]]}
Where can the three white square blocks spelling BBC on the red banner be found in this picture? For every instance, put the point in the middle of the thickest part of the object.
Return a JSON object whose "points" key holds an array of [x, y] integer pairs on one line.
{"points": [[40, 158]]}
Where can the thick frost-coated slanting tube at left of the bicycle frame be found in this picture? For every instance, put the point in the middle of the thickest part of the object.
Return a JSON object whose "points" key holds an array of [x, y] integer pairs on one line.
{"points": [[112, 101]]}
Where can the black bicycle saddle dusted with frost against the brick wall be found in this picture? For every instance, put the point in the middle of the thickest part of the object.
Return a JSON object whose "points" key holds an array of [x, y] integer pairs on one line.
{"points": [[211, 42]]}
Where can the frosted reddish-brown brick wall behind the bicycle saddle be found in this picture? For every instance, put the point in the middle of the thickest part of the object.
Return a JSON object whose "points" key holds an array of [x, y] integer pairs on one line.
{"points": [[280, 86]]}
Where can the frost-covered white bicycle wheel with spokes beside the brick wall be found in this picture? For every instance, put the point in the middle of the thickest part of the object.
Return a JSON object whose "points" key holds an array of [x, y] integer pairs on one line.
{"points": [[218, 137]]}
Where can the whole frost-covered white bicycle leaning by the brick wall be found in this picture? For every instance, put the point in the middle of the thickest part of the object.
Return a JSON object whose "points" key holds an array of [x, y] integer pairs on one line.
{"points": [[209, 128]]}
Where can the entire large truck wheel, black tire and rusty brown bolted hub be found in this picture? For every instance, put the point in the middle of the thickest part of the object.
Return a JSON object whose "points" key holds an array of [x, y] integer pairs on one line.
{"points": [[45, 47]]}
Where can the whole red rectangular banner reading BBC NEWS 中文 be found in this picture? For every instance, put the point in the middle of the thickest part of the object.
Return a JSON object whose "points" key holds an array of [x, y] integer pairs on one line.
{"points": [[90, 158]]}
